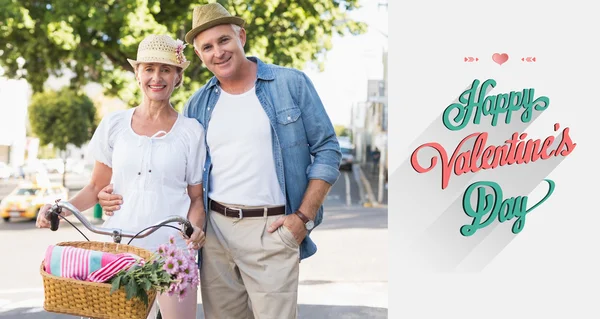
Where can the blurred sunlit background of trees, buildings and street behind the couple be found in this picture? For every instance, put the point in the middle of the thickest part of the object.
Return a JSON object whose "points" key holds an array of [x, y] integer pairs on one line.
{"points": [[63, 67]]}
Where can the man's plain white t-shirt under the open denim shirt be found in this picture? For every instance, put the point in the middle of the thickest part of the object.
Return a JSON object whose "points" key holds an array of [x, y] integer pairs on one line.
{"points": [[241, 151]]}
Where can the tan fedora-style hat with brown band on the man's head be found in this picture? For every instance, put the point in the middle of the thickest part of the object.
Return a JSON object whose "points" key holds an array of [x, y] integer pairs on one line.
{"points": [[208, 16]]}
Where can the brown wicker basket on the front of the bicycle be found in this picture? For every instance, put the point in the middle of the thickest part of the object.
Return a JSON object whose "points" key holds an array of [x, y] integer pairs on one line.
{"points": [[90, 299]]}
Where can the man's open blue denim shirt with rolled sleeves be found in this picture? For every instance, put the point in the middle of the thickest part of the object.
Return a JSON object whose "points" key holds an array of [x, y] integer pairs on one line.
{"points": [[300, 128]]}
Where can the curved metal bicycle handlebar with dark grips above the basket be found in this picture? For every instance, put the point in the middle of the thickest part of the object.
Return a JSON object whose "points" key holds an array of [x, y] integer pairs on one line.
{"points": [[56, 210]]}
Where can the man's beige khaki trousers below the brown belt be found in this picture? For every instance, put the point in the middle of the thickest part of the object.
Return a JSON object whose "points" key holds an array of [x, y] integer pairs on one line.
{"points": [[246, 271]]}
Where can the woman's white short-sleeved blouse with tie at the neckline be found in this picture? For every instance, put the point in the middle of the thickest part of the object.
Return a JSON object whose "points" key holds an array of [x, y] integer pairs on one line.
{"points": [[151, 173]]}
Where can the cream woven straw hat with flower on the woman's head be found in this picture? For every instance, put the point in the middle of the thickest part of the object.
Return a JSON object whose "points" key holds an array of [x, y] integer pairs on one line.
{"points": [[161, 49]]}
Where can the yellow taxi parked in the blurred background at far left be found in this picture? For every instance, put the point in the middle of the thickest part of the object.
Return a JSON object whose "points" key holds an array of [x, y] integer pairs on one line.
{"points": [[26, 200]]}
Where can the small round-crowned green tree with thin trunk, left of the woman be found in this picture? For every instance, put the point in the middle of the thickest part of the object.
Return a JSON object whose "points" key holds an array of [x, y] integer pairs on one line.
{"points": [[62, 118]]}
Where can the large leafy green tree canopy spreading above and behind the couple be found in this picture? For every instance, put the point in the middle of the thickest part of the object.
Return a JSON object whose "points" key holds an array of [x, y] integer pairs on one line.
{"points": [[93, 38]]}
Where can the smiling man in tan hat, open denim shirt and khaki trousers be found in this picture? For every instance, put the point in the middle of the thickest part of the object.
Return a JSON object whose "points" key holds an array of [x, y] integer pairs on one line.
{"points": [[272, 156]]}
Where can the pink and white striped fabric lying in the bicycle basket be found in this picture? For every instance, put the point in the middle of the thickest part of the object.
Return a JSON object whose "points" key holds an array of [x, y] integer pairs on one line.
{"points": [[85, 264]]}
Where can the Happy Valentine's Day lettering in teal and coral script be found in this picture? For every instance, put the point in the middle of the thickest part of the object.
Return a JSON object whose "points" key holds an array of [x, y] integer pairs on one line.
{"points": [[516, 150]]}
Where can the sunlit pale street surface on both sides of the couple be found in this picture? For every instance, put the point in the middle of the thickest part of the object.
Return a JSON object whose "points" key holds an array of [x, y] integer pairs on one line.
{"points": [[347, 278]]}
